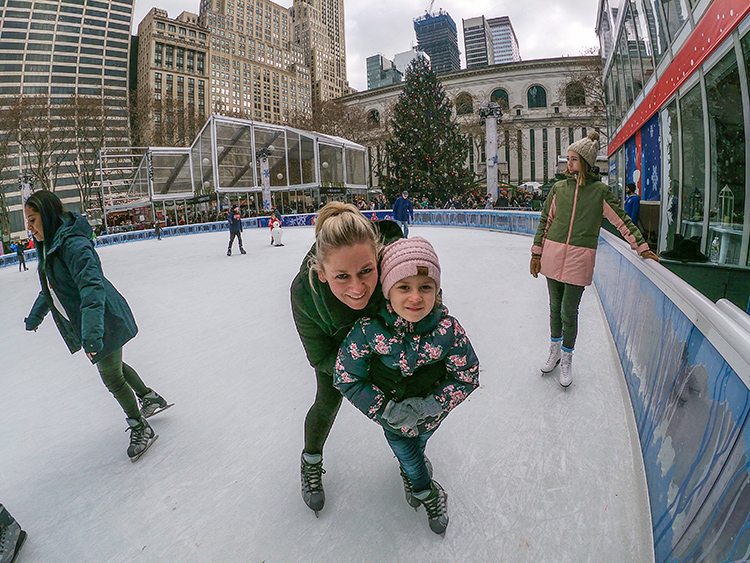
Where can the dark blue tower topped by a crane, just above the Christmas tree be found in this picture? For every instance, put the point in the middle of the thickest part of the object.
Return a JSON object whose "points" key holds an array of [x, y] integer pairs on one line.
{"points": [[437, 36]]}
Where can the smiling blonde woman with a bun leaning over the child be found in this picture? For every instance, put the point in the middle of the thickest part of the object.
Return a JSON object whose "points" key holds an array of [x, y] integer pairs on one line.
{"points": [[336, 285]]}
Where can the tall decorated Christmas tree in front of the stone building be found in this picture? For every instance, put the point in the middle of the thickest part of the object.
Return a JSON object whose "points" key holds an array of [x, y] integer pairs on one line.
{"points": [[426, 153]]}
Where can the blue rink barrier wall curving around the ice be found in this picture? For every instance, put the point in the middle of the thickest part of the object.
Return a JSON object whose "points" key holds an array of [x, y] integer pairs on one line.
{"points": [[686, 364]]}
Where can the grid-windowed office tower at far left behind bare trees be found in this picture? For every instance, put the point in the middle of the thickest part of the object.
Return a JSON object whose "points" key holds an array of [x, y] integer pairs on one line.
{"points": [[49, 53]]}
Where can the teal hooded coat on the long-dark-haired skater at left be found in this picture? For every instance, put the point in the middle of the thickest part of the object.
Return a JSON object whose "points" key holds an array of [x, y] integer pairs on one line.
{"points": [[94, 315]]}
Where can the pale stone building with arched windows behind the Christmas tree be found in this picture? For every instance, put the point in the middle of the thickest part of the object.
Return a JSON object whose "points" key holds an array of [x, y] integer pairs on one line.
{"points": [[543, 113]]}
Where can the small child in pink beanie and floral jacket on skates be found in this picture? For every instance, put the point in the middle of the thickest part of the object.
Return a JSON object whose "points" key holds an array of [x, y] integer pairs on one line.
{"points": [[409, 366]]}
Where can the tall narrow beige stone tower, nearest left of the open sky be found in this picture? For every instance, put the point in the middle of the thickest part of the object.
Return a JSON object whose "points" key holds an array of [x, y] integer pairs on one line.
{"points": [[319, 31]]}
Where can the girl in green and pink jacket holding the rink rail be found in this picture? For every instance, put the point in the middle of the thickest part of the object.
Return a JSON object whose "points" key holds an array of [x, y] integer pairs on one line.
{"points": [[565, 244]]}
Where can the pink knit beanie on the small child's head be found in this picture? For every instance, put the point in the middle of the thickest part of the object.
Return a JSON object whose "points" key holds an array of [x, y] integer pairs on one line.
{"points": [[403, 258]]}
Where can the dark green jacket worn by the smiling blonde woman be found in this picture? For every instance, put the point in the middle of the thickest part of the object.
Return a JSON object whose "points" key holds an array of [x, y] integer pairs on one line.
{"points": [[322, 320]]}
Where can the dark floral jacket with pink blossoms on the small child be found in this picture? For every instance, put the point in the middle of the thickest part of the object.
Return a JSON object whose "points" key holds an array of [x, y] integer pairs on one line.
{"points": [[388, 358]]}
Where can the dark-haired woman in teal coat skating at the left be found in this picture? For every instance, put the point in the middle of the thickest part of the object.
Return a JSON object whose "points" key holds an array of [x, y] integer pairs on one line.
{"points": [[87, 309]]}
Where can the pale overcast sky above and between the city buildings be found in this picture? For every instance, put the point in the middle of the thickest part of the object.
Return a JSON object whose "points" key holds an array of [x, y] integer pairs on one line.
{"points": [[544, 28]]}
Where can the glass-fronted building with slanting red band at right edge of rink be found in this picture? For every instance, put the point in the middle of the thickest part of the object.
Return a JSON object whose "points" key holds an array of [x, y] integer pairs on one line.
{"points": [[678, 106]]}
